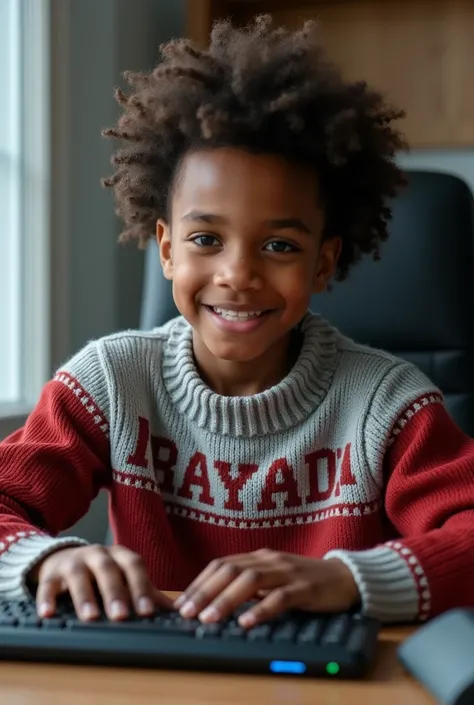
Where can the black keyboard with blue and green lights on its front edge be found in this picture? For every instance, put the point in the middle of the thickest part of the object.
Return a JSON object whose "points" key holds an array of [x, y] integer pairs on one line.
{"points": [[296, 643]]}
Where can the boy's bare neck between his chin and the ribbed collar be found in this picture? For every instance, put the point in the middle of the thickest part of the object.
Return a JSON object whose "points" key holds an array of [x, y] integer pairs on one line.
{"points": [[242, 379]]}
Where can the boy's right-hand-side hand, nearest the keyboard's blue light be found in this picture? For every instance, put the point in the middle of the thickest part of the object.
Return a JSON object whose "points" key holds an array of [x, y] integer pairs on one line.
{"points": [[285, 581]]}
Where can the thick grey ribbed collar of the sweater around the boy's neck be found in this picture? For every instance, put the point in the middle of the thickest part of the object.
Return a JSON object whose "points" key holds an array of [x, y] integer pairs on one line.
{"points": [[276, 409]]}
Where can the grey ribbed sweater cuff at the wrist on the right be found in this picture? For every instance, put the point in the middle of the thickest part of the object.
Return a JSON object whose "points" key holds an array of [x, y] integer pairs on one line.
{"points": [[387, 586]]}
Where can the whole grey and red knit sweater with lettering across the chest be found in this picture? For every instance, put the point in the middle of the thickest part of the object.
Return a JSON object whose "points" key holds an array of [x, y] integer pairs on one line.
{"points": [[352, 455]]}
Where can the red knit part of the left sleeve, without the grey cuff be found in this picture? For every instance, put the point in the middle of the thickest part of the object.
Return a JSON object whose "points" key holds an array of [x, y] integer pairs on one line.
{"points": [[54, 466]]}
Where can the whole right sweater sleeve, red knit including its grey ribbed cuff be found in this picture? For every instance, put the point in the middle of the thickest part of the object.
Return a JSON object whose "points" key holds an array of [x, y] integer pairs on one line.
{"points": [[429, 503]]}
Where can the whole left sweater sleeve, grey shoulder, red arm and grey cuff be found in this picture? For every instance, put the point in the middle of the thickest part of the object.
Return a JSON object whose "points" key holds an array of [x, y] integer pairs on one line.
{"points": [[52, 469]]}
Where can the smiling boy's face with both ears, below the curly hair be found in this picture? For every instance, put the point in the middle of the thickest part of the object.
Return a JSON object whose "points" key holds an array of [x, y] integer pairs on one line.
{"points": [[244, 250]]}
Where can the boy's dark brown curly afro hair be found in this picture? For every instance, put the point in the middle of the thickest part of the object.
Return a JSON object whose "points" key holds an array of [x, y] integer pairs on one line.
{"points": [[268, 90]]}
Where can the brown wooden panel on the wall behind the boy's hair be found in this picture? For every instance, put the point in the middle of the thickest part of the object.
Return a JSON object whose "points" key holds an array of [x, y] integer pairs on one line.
{"points": [[419, 52]]}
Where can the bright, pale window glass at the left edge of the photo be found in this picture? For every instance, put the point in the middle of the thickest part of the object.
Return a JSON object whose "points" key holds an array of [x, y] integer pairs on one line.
{"points": [[24, 204]]}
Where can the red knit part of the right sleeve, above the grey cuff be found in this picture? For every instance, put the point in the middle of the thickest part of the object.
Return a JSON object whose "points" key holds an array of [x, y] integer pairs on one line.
{"points": [[430, 502]]}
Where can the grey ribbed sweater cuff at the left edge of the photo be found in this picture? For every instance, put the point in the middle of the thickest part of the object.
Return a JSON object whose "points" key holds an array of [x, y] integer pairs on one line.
{"points": [[22, 553]]}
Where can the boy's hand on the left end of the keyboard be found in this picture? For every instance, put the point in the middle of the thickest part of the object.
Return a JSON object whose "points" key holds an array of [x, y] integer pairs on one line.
{"points": [[119, 575]]}
